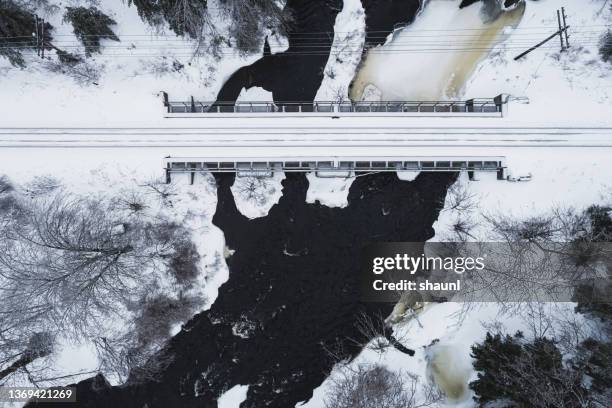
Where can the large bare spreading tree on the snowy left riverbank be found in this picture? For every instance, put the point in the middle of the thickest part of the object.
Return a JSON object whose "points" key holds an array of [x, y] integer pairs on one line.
{"points": [[66, 264]]}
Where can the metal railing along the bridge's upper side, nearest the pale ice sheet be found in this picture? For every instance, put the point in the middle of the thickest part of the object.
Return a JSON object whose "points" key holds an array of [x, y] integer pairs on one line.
{"points": [[492, 106]]}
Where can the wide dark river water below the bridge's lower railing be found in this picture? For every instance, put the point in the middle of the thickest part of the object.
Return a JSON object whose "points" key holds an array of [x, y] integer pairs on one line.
{"points": [[292, 296]]}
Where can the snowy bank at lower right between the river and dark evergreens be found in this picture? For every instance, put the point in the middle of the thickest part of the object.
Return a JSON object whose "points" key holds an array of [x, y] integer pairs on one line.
{"points": [[454, 332]]}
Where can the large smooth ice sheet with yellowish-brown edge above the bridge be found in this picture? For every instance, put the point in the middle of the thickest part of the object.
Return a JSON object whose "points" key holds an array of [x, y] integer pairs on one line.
{"points": [[433, 57]]}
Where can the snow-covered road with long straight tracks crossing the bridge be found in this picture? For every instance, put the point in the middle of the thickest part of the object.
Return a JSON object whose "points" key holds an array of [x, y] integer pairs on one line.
{"points": [[345, 139]]}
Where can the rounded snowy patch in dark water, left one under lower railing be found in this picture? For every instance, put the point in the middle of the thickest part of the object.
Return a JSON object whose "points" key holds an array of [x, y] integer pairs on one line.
{"points": [[255, 196]]}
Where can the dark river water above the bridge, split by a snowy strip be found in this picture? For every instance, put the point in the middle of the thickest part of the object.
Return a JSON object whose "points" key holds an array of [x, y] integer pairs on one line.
{"points": [[296, 74]]}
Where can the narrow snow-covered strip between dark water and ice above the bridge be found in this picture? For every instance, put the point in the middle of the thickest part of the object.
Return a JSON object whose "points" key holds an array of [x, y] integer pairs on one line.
{"points": [[345, 55]]}
